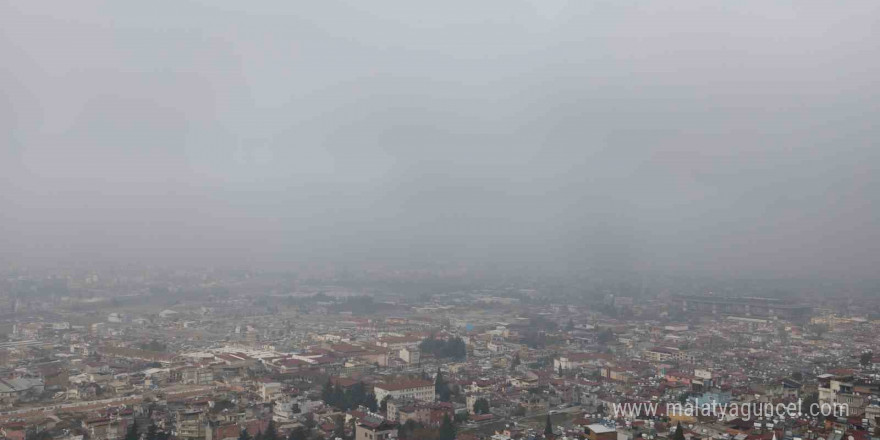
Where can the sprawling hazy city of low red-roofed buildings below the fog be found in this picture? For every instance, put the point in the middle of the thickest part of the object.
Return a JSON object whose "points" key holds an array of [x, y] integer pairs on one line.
{"points": [[210, 356]]}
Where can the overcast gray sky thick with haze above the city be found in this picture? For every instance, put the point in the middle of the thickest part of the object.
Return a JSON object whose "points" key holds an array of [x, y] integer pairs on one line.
{"points": [[694, 136]]}
